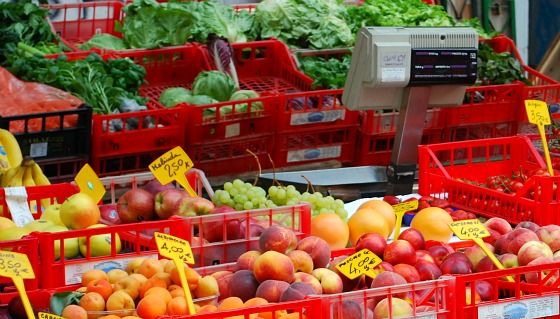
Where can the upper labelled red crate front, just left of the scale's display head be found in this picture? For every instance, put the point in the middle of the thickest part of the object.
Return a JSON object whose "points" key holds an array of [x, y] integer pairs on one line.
{"points": [[303, 111]]}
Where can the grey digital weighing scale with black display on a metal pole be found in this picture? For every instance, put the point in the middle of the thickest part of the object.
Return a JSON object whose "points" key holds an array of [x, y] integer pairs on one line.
{"points": [[410, 69]]}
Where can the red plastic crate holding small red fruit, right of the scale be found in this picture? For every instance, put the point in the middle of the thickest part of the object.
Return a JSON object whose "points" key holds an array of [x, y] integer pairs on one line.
{"points": [[441, 164]]}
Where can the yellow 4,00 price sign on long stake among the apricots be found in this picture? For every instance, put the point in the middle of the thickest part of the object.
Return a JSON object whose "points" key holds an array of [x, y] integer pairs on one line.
{"points": [[178, 250]]}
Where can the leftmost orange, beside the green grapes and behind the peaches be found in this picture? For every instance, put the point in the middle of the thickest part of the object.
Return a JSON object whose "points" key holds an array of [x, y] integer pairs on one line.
{"points": [[332, 228]]}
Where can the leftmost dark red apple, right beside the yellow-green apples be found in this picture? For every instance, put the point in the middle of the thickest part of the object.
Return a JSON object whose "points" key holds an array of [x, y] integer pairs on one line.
{"points": [[136, 205]]}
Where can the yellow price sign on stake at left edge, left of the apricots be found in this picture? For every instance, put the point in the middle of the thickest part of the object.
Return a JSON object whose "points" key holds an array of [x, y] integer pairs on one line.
{"points": [[17, 267]]}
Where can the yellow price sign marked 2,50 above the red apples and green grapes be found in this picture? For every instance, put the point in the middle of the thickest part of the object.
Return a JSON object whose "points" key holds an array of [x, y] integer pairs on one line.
{"points": [[172, 166]]}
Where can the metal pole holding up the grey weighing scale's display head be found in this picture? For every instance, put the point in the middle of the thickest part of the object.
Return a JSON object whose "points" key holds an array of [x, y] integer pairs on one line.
{"points": [[410, 127]]}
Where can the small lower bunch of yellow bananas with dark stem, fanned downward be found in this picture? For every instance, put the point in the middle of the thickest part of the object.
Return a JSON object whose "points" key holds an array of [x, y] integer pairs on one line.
{"points": [[26, 173]]}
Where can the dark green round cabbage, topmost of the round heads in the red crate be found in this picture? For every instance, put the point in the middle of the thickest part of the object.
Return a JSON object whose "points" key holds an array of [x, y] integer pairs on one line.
{"points": [[214, 84]]}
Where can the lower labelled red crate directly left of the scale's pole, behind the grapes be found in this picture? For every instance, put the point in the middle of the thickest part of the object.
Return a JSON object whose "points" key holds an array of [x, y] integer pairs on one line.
{"points": [[319, 145]]}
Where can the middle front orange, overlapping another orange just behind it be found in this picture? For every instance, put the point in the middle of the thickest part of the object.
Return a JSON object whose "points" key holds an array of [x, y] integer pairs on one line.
{"points": [[367, 220]]}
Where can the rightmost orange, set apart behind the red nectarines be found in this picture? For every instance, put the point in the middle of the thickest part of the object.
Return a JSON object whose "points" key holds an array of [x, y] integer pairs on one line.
{"points": [[433, 223]]}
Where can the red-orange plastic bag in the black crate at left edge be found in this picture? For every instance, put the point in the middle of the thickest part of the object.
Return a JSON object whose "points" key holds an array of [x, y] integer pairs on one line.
{"points": [[23, 98]]}
